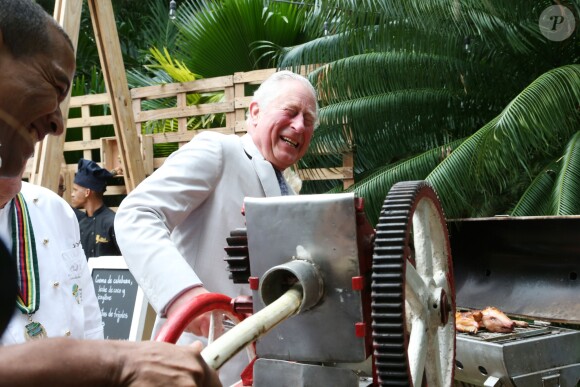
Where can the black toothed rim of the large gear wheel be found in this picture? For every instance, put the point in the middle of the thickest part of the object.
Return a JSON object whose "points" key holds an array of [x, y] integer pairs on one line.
{"points": [[388, 280]]}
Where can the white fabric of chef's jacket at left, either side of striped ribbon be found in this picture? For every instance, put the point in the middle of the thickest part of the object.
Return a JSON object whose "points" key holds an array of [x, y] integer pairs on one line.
{"points": [[68, 304]]}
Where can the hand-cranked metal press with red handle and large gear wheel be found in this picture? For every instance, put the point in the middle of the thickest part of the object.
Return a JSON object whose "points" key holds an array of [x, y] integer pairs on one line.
{"points": [[336, 302]]}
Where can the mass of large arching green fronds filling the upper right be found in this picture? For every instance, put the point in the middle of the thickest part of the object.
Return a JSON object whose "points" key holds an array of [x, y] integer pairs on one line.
{"points": [[403, 79]]}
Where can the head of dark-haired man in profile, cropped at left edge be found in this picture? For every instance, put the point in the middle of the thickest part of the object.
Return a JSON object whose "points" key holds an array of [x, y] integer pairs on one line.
{"points": [[37, 67]]}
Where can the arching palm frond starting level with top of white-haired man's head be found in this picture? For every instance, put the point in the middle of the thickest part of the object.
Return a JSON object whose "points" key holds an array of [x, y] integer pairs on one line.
{"points": [[379, 72]]}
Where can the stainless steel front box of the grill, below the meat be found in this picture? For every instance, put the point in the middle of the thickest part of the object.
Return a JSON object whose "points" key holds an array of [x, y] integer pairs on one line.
{"points": [[537, 356]]}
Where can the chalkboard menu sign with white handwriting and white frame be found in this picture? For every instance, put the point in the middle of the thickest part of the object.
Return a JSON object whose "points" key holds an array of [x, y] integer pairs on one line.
{"points": [[121, 300]]}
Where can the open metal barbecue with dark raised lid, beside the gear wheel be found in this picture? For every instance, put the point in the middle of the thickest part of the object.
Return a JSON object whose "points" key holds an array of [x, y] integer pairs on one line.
{"points": [[527, 267]]}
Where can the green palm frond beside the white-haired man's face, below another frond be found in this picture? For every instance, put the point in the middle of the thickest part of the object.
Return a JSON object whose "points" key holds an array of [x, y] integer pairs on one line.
{"points": [[388, 126]]}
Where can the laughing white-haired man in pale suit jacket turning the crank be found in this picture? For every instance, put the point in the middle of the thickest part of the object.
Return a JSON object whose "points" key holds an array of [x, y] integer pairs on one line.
{"points": [[172, 228]]}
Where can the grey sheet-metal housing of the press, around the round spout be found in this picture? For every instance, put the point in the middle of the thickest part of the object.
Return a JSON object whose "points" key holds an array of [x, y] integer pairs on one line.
{"points": [[321, 231]]}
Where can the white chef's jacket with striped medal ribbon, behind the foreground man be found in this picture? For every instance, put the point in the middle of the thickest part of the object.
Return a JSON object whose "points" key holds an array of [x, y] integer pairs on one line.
{"points": [[56, 293]]}
